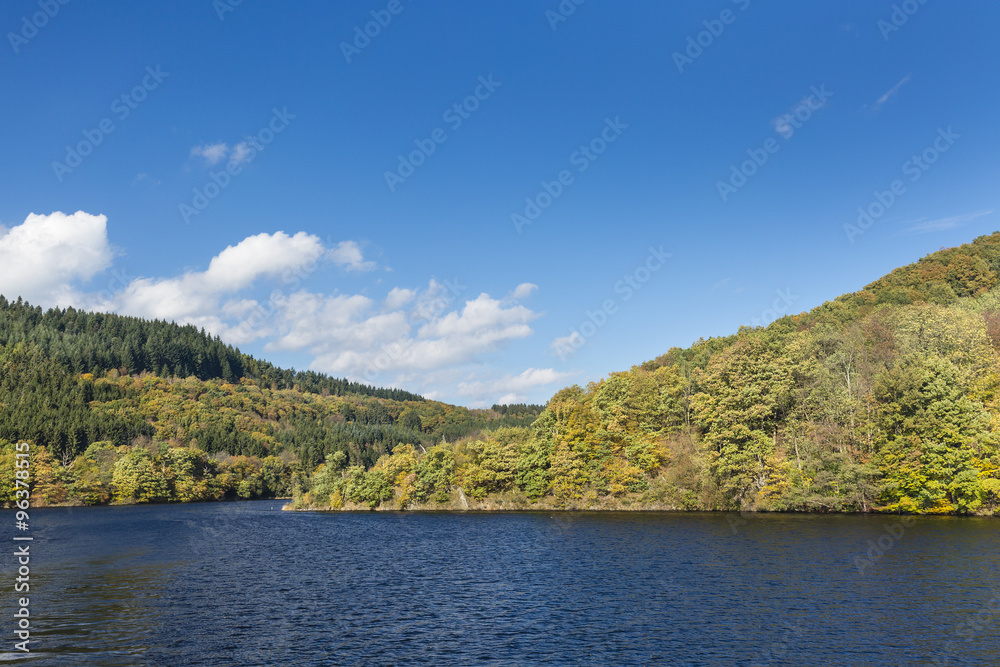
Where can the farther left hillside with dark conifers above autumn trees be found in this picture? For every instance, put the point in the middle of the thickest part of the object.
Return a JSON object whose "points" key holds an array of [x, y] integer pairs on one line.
{"points": [[120, 409]]}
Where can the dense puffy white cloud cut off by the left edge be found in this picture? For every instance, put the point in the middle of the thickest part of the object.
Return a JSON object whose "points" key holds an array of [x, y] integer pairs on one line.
{"points": [[41, 257]]}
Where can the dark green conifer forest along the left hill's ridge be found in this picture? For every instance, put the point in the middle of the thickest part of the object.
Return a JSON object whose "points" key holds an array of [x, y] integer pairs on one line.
{"points": [[95, 343]]}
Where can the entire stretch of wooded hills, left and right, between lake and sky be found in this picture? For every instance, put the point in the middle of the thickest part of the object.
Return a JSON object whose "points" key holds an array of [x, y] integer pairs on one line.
{"points": [[886, 399]]}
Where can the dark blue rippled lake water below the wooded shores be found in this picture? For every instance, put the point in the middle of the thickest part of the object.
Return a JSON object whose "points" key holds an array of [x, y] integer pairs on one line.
{"points": [[247, 584]]}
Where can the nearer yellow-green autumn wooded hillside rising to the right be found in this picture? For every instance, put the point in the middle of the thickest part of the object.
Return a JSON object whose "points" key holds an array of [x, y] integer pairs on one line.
{"points": [[885, 399]]}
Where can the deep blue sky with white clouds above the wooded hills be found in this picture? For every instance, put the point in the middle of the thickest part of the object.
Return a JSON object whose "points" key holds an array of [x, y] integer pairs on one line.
{"points": [[695, 167]]}
